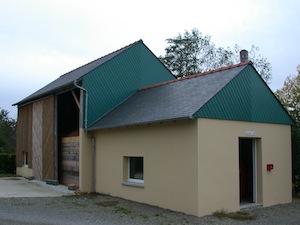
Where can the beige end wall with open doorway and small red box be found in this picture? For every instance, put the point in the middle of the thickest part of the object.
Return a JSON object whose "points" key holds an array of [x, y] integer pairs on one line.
{"points": [[219, 163]]}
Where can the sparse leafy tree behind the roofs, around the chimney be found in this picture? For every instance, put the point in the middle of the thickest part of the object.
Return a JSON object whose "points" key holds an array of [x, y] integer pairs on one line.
{"points": [[192, 53]]}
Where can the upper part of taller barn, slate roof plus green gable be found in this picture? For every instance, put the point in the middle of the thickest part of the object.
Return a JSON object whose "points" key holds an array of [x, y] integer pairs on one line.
{"points": [[110, 79]]}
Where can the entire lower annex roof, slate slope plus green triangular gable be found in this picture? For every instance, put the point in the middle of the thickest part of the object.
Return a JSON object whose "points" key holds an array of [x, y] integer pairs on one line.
{"points": [[235, 93]]}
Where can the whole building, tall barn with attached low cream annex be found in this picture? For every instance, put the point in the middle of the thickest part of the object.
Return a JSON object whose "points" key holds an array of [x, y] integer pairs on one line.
{"points": [[210, 141]]}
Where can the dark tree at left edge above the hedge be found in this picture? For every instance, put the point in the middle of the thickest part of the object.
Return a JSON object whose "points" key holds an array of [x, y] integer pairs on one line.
{"points": [[7, 132]]}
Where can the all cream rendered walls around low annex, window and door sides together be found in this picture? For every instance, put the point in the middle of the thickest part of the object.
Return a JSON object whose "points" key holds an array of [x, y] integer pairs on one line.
{"points": [[189, 166]]}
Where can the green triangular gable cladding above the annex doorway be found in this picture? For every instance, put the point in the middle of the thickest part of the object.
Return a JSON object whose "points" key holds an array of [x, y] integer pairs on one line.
{"points": [[246, 98]]}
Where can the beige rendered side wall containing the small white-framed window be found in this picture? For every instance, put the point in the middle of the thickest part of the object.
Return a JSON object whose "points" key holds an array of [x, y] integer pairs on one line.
{"points": [[170, 164]]}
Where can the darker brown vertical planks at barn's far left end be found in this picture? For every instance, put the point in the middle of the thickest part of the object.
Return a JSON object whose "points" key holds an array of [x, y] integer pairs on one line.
{"points": [[24, 135]]}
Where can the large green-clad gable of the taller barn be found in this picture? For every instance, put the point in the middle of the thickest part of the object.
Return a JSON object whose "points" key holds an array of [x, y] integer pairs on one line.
{"points": [[117, 79]]}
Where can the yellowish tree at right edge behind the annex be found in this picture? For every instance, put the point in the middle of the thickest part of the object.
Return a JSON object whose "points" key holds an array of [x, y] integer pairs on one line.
{"points": [[289, 96]]}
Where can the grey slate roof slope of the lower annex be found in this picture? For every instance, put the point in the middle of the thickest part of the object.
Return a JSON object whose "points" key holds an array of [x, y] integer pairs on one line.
{"points": [[170, 101]]}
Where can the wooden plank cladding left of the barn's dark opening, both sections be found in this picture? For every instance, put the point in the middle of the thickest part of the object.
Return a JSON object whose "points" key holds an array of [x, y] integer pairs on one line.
{"points": [[36, 135]]}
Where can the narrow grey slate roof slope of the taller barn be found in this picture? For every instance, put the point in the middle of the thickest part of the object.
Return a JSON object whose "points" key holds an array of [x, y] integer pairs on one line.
{"points": [[67, 79]]}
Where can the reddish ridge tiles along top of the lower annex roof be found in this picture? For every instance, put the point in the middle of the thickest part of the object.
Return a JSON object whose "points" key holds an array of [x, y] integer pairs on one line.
{"points": [[197, 75]]}
